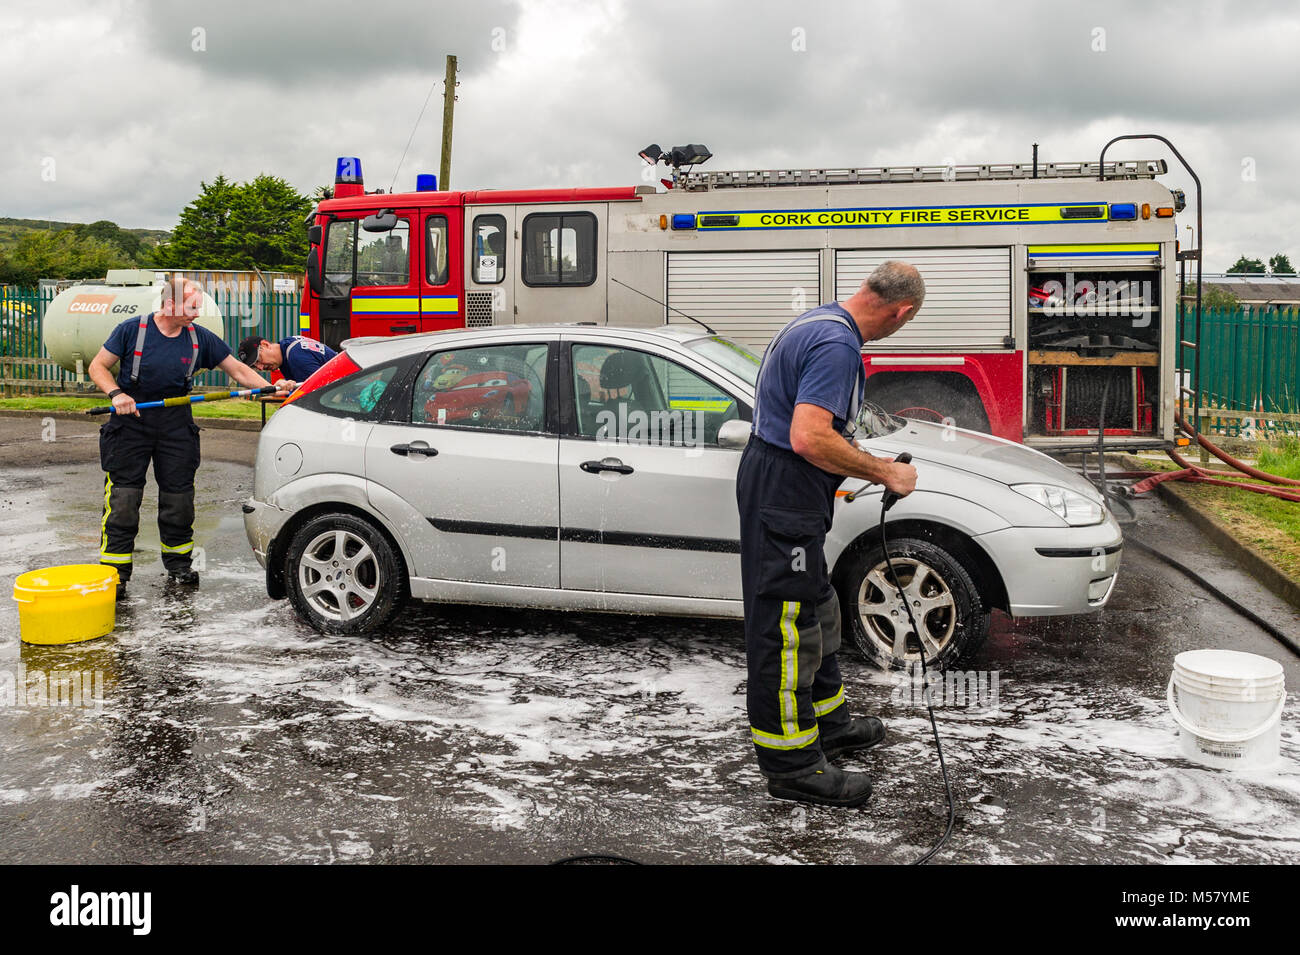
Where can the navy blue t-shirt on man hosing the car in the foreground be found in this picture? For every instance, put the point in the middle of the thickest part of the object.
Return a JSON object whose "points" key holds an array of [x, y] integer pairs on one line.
{"points": [[816, 363]]}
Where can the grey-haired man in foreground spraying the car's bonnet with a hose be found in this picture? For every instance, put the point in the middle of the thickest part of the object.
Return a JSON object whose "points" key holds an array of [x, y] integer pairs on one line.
{"points": [[801, 450]]}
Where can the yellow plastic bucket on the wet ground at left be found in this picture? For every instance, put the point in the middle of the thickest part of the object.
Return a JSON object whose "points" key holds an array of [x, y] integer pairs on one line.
{"points": [[67, 605]]}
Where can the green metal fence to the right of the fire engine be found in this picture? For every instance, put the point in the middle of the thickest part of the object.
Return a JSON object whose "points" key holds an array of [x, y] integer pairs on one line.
{"points": [[1250, 362]]}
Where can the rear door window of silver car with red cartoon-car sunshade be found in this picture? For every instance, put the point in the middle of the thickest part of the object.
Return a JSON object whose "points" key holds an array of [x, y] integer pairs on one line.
{"points": [[497, 388]]}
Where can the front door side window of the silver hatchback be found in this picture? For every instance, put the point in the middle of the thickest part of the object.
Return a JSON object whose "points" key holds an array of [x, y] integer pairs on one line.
{"points": [[629, 396]]}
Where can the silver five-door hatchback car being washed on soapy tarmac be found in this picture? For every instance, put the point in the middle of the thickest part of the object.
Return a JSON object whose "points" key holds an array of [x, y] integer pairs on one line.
{"points": [[592, 468]]}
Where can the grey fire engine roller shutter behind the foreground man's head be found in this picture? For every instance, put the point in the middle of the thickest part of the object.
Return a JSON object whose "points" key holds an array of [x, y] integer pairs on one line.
{"points": [[968, 296]]}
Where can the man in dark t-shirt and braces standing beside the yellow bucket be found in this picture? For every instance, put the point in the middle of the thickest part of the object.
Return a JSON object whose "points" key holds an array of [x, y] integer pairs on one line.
{"points": [[158, 357]]}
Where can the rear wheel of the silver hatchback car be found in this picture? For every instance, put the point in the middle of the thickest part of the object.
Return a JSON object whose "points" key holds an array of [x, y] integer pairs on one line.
{"points": [[344, 575]]}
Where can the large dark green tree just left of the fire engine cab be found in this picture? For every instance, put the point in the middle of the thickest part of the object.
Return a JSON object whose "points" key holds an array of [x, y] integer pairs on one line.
{"points": [[233, 225]]}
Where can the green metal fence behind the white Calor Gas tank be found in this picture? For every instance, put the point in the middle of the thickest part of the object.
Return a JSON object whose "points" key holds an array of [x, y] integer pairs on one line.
{"points": [[23, 315]]}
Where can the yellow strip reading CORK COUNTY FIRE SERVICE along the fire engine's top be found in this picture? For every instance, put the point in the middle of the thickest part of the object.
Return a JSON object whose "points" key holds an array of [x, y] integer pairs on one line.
{"points": [[885, 218]]}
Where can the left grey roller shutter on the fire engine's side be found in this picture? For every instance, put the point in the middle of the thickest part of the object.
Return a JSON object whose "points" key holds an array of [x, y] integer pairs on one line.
{"points": [[747, 297]]}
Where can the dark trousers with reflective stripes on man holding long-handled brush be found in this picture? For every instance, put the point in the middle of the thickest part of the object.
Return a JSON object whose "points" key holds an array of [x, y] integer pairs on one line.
{"points": [[127, 448]]}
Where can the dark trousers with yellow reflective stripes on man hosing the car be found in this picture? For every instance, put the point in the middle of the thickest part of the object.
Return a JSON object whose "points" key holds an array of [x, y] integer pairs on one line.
{"points": [[792, 614]]}
